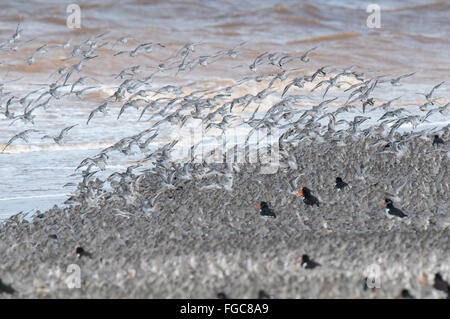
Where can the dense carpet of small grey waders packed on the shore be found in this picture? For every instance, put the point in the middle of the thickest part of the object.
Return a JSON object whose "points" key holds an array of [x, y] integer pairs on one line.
{"points": [[196, 241]]}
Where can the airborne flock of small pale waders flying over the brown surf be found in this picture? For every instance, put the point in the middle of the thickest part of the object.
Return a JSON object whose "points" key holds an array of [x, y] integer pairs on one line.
{"points": [[215, 106]]}
